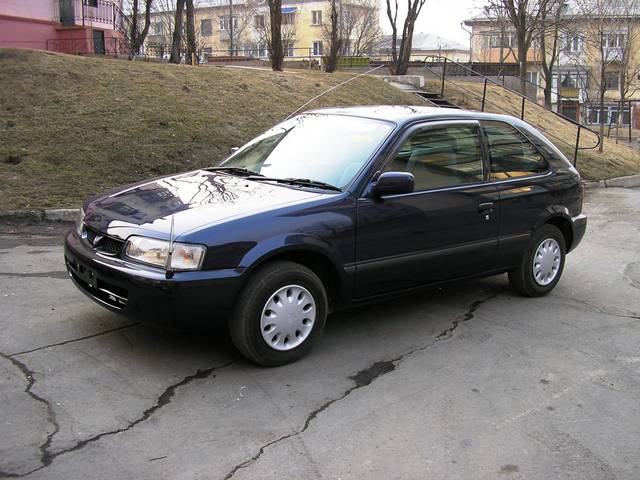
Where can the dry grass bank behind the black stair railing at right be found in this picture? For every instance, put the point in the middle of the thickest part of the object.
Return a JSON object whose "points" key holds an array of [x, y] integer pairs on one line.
{"points": [[615, 161]]}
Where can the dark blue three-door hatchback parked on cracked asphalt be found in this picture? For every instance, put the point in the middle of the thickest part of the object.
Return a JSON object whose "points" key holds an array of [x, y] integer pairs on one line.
{"points": [[330, 209]]}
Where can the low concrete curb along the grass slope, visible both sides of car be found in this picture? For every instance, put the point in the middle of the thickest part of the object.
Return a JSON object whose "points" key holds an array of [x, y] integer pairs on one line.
{"points": [[69, 215]]}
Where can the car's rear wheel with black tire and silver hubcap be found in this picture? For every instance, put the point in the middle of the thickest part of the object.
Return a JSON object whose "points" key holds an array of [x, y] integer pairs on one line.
{"points": [[523, 279]]}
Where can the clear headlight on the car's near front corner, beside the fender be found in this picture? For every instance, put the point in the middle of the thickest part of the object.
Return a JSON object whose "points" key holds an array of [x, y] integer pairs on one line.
{"points": [[155, 252]]}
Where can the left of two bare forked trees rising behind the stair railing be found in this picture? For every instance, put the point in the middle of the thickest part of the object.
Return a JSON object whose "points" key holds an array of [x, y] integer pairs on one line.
{"points": [[524, 16]]}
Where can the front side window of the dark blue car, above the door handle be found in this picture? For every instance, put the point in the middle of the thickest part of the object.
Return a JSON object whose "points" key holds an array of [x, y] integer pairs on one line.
{"points": [[441, 157]]}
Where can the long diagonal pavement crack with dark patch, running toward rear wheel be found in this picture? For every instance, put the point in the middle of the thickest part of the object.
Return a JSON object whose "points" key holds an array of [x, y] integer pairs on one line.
{"points": [[365, 377]]}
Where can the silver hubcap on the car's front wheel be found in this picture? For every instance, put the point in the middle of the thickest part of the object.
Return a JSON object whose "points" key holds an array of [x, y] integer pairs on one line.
{"points": [[288, 317]]}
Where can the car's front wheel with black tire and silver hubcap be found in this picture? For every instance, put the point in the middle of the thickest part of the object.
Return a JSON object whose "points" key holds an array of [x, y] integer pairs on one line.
{"points": [[288, 288]]}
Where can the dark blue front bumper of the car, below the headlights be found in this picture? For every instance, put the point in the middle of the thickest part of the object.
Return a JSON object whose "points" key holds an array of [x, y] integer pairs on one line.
{"points": [[203, 298]]}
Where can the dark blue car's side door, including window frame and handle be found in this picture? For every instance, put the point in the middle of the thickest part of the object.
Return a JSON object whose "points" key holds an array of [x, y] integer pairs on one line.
{"points": [[446, 228]]}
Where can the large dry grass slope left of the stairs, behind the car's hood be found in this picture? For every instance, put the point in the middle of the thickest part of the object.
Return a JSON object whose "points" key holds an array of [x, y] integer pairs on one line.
{"points": [[74, 126]]}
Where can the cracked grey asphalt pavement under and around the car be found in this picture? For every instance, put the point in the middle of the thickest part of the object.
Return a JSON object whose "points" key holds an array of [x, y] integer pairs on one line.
{"points": [[465, 382]]}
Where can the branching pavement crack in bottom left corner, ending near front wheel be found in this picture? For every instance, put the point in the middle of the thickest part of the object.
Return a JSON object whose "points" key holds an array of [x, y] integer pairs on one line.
{"points": [[164, 399]]}
